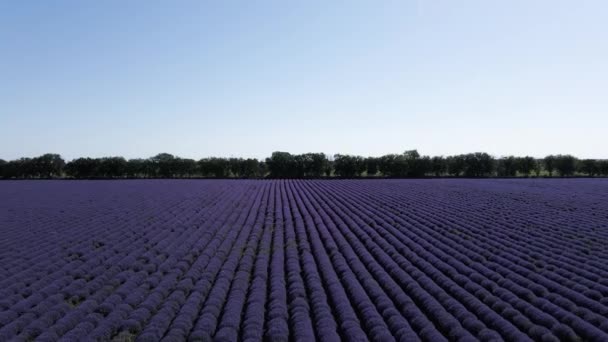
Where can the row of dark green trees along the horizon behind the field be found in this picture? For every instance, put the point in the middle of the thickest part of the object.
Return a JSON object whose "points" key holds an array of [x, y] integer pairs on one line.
{"points": [[309, 165]]}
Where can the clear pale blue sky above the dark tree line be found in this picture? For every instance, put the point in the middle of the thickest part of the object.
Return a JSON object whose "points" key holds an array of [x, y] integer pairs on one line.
{"points": [[244, 78]]}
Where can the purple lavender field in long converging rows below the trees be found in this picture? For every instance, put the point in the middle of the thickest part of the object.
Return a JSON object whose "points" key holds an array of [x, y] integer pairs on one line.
{"points": [[304, 260]]}
